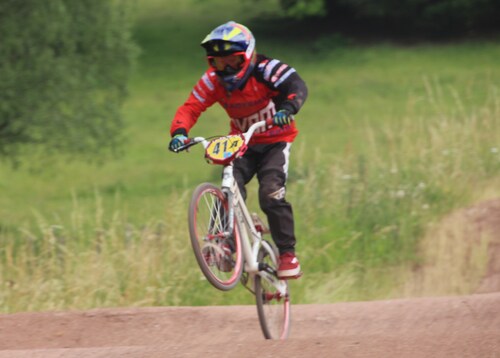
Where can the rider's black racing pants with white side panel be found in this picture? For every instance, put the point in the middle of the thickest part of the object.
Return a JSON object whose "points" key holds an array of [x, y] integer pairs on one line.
{"points": [[270, 163]]}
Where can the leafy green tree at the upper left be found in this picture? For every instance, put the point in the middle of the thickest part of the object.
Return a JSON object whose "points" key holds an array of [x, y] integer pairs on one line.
{"points": [[64, 67]]}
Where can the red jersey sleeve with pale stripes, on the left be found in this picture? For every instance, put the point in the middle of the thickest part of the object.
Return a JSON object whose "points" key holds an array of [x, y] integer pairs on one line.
{"points": [[201, 97]]}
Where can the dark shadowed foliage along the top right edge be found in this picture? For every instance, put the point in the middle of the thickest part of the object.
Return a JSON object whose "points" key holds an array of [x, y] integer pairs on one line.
{"points": [[455, 17]]}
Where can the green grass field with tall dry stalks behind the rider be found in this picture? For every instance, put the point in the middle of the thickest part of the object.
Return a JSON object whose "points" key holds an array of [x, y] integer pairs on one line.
{"points": [[391, 138]]}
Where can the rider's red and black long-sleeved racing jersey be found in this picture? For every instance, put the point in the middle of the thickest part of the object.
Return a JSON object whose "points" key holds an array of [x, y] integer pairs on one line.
{"points": [[272, 86]]}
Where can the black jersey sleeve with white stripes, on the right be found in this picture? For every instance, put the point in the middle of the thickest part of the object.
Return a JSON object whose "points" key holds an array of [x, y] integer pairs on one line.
{"points": [[282, 78]]}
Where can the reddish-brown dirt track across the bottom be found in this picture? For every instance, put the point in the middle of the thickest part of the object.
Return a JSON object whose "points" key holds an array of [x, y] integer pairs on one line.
{"points": [[467, 326]]}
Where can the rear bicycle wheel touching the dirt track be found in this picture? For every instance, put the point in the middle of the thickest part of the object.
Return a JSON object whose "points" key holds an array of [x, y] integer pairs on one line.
{"points": [[273, 309]]}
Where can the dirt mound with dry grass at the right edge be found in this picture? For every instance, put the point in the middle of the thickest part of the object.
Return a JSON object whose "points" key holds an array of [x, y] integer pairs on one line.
{"points": [[460, 255]]}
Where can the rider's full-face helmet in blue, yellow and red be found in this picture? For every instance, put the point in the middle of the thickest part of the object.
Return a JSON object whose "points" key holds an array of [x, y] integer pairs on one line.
{"points": [[230, 51]]}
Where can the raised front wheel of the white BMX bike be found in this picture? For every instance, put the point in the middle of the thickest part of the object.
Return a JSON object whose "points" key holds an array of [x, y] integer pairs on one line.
{"points": [[207, 218]]}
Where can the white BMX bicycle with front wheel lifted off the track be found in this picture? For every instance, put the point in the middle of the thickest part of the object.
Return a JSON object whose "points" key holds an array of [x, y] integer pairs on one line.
{"points": [[228, 241]]}
